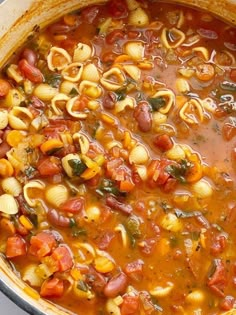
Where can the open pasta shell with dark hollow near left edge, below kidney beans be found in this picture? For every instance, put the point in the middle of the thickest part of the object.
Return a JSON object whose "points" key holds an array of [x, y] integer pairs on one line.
{"points": [[20, 118]]}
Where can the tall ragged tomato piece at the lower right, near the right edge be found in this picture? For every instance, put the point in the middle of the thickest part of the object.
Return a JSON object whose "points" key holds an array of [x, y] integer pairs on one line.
{"points": [[218, 280]]}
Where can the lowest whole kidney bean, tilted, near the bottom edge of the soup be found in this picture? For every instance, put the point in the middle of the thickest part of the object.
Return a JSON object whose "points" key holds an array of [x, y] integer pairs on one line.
{"points": [[116, 285]]}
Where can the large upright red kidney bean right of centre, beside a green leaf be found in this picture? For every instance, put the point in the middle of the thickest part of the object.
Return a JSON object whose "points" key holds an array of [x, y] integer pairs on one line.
{"points": [[142, 115]]}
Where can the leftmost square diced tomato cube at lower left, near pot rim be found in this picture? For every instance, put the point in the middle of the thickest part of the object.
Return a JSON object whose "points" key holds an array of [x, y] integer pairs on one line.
{"points": [[16, 246]]}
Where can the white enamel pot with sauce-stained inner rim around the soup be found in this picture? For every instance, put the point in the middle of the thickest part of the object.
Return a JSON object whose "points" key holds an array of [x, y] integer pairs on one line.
{"points": [[17, 22]]}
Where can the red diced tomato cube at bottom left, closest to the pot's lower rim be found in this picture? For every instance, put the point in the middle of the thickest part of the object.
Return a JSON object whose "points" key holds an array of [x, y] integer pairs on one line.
{"points": [[52, 288]]}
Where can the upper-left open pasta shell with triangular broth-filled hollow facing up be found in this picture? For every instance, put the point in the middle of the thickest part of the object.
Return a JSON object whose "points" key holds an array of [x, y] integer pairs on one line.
{"points": [[58, 59]]}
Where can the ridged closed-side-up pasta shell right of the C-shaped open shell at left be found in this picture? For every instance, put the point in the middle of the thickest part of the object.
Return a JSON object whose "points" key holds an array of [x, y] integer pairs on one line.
{"points": [[57, 195]]}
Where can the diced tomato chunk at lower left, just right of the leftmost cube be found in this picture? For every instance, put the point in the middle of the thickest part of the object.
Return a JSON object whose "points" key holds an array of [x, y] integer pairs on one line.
{"points": [[42, 244]]}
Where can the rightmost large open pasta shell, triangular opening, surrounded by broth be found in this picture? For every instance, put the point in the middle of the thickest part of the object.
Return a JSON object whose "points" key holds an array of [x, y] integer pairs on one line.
{"points": [[192, 111]]}
